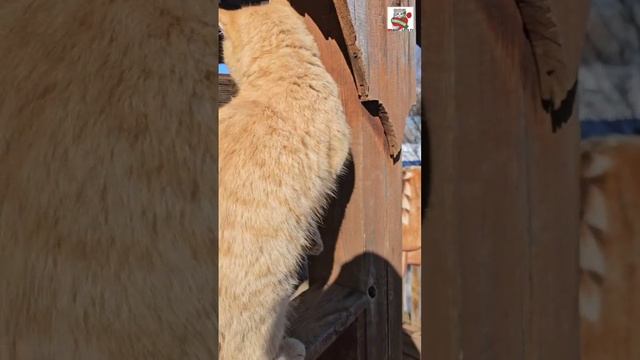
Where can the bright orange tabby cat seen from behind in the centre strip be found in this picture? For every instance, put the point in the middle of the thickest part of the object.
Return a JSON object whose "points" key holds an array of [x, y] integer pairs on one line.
{"points": [[283, 142]]}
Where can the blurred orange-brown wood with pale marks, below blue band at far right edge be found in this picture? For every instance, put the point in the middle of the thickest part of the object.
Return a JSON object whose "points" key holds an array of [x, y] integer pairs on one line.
{"points": [[610, 248]]}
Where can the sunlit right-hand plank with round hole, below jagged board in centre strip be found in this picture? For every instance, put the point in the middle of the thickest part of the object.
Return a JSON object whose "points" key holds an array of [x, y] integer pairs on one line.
{"points": [[383, 280]]}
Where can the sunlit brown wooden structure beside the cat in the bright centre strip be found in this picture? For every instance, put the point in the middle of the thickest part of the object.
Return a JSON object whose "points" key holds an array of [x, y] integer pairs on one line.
{"points": [[353, 310]]}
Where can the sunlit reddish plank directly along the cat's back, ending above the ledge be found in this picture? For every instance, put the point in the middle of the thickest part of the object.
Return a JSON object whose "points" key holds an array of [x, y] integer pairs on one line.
{"points": [[343, 229]]}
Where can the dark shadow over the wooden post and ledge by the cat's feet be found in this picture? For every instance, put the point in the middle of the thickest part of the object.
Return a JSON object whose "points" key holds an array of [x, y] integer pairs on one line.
{"points": [[336, 322]]}
